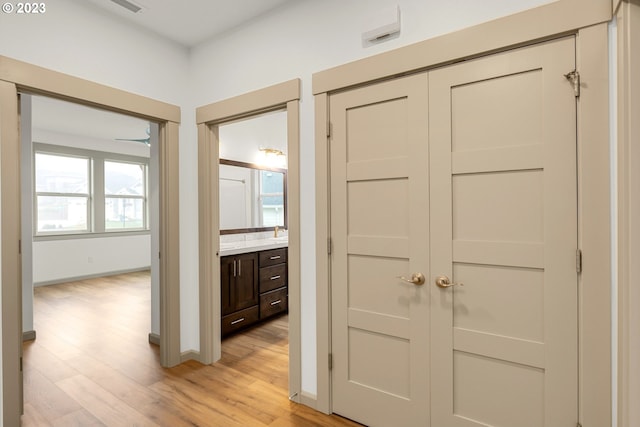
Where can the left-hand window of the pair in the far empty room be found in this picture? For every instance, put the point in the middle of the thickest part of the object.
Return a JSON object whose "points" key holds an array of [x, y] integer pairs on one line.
{"points": [[62, 193]]}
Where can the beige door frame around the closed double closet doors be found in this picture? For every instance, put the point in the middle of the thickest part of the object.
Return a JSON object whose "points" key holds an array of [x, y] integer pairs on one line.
{"points": [[588, 21]]}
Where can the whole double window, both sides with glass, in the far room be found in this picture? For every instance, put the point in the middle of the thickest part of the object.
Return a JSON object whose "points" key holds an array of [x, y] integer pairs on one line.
{"points": [[82, 191]]}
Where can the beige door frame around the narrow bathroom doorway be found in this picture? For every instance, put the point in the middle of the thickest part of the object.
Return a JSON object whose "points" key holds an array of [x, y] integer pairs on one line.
{"points": [[283, 96]]}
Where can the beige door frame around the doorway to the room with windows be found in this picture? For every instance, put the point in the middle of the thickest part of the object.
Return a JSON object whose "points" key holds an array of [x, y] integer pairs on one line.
{"points": [[16, 76]]}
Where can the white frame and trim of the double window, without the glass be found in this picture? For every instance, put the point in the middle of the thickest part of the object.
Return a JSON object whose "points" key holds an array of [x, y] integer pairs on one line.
{"points": [[97, 197]]}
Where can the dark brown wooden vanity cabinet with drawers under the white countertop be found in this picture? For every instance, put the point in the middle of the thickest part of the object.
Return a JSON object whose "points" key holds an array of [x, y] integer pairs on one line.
{"points": [[253, 287]]}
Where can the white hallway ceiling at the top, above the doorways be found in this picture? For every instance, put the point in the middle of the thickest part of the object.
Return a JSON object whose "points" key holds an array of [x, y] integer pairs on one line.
{"points": [[189, 22]]}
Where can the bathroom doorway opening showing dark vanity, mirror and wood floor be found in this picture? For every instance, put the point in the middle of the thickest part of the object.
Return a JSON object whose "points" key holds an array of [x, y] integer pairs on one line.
{"points": [[254, 238]]}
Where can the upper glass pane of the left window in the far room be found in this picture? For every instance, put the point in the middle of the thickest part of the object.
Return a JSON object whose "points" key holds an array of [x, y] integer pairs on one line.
{"points": [[60, 174]]}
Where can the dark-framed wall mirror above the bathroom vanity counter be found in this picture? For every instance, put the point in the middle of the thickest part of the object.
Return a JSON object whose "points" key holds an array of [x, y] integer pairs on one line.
{"points": [[252, 197]]}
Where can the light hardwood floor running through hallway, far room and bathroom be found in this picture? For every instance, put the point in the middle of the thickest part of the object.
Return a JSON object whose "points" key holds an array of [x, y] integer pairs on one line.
{"points": [[92, 365]]}
